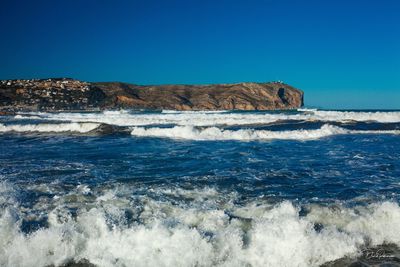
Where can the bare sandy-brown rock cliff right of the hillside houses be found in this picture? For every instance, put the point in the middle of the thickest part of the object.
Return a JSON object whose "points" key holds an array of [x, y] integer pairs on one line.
{"points": [[241, 96]]}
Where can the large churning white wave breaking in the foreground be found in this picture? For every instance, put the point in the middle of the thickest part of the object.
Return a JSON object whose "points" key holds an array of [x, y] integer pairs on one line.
{"points": [[114, 229]]}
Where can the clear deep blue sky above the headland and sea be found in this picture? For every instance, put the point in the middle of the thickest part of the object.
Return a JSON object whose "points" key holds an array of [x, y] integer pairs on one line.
{"points": [[343, 54]]}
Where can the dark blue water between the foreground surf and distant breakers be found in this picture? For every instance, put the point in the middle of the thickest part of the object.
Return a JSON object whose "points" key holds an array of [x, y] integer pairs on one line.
{"points": [[337, 168]]}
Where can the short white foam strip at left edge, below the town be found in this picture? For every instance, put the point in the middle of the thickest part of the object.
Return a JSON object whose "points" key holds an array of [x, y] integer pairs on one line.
{"points": [[50, 127]]}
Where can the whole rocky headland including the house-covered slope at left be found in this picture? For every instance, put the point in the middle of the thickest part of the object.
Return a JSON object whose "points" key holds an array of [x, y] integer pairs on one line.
{"points": [[69, 94]]}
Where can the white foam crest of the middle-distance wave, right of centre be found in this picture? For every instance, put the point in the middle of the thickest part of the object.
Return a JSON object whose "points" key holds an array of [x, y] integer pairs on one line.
{"points": [[214, 133]]}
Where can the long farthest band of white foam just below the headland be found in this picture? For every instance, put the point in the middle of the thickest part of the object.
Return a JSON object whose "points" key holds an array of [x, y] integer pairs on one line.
{"points": [[204, 118]]}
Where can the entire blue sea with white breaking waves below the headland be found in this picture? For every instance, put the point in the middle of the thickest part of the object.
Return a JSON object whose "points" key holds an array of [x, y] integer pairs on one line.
{"points": [[306, 187]]}
